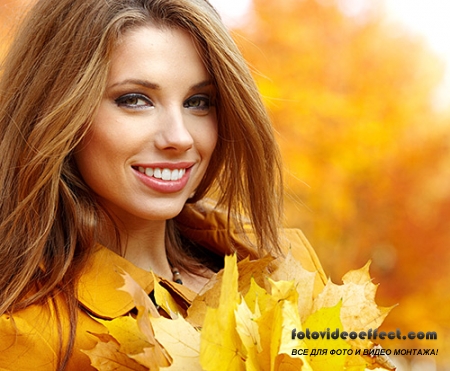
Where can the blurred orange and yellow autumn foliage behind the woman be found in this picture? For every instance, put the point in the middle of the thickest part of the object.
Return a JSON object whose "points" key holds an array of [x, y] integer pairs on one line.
{"points": [[366, 150]]}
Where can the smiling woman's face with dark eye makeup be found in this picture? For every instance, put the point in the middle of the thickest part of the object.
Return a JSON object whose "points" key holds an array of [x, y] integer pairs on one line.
{"points": [[155, 130]]}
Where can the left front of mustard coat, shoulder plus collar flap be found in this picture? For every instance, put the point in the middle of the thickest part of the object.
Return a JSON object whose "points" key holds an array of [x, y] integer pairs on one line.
{"points": [[34, 333]]}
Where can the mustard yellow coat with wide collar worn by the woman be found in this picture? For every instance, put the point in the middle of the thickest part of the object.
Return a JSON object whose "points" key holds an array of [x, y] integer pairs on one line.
{"points": [[29, 339]]}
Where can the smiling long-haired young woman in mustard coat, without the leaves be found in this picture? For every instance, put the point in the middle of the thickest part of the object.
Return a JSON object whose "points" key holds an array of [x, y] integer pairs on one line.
{"points": [[132, 136]]}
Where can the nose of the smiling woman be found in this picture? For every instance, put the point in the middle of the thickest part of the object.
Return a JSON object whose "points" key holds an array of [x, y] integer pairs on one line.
{"points": [[173, 133]]}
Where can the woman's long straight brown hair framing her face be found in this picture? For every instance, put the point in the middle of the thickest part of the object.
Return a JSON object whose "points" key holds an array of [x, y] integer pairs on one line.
{"points": [[51, 85]]}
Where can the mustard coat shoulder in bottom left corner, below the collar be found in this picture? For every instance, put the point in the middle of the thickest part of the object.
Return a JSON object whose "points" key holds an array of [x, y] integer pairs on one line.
{"points": [[30, 338]]}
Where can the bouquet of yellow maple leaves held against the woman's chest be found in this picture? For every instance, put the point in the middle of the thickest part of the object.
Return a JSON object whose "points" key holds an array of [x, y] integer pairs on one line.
{"points": [[247, 319]]}
